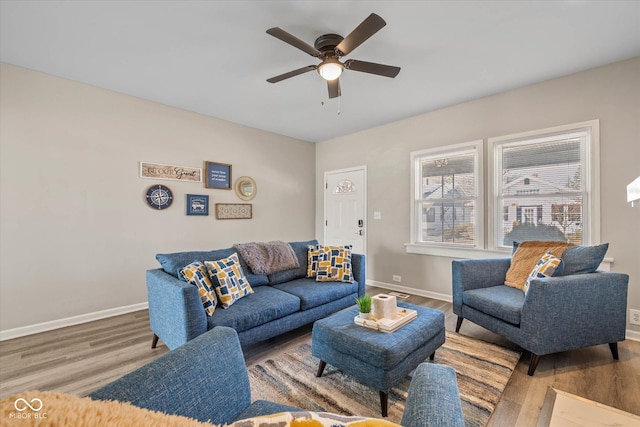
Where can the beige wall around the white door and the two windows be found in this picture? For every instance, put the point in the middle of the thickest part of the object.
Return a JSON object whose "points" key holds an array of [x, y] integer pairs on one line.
{"points": [[610, 94]]}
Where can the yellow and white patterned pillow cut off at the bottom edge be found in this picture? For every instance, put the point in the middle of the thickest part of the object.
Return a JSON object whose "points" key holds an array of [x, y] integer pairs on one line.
{"points": [[311, 419]]}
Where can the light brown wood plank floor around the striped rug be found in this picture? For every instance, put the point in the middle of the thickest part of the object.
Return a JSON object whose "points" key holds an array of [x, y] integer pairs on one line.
{"points": [[82, 358]]}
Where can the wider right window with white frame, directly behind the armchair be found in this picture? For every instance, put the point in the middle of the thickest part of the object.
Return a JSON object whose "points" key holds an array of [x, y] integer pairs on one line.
{"points": [[545, 184]]}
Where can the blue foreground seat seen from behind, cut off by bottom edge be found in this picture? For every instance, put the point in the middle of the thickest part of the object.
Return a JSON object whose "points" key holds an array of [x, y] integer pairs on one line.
{"points": [[206, 379]]}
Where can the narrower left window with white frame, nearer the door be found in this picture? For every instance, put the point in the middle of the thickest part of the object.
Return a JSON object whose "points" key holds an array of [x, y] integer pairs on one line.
{"points": [[447, 197]]}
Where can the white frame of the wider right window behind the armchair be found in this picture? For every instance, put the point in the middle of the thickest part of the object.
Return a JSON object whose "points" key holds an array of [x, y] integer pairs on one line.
{"points": [[591, 218]]}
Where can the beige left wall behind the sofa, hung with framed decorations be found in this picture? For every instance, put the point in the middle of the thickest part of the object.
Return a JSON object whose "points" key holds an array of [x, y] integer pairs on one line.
{"points": [[76, 234]]}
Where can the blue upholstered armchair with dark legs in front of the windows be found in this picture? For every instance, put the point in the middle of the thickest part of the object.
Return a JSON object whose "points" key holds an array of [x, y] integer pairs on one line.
{"points": [[557, 313]]}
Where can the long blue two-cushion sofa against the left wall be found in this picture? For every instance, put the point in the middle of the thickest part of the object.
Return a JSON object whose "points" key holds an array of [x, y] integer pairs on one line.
{"points": [[281, 302]]}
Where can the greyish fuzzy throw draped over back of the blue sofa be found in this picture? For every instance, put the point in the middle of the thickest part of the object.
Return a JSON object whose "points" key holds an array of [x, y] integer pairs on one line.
{"points": [[268, 257]]}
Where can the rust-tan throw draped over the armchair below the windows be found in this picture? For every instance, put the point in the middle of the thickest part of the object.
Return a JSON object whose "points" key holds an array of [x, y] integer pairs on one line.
{"points": [[526, 257]]}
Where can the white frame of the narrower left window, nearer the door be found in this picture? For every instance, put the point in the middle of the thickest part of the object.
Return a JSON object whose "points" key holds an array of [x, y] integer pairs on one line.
{"points": [[438, 248]]}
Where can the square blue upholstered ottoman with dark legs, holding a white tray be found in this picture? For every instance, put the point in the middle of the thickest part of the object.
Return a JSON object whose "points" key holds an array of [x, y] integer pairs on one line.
{"points": [[376, 358]]}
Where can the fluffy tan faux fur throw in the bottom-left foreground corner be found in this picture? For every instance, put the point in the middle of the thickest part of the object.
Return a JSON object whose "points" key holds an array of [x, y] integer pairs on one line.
{"points": [[46, 408]]}
